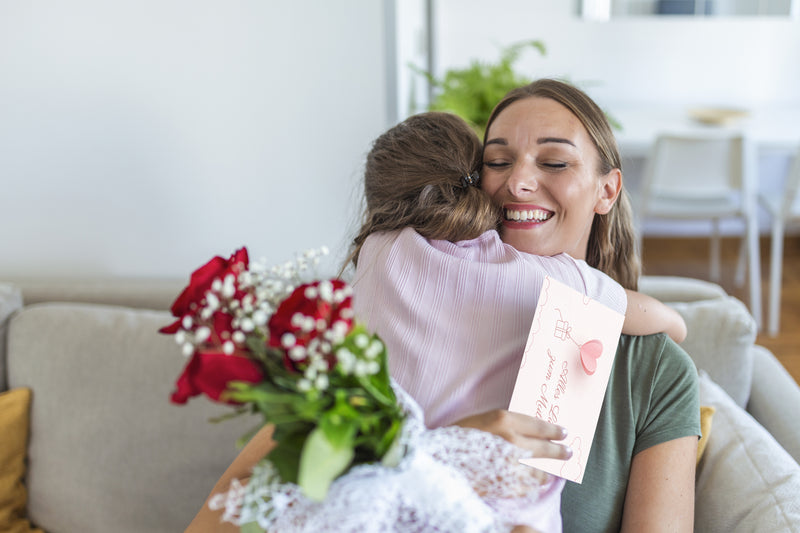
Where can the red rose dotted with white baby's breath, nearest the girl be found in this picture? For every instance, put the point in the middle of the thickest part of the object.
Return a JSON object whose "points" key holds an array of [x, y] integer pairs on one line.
{"points": [[308, 313]]}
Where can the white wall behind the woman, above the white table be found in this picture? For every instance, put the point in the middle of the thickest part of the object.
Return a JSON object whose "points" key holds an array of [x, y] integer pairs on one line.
{"points": [[705, 60]]}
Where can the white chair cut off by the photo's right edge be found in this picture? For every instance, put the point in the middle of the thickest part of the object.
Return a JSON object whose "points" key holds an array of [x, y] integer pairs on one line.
{"points": [[783, 209]]}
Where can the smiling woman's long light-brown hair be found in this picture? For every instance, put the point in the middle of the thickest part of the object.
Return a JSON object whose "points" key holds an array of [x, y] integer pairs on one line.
{"points": [[612, 243]]}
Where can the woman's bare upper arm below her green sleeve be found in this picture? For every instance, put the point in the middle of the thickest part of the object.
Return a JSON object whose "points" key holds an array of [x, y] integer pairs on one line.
{"points": [[660, 494]]}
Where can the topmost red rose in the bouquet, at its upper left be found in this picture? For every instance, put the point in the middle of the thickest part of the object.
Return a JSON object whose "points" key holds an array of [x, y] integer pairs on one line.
{"points": [[200, 282]]}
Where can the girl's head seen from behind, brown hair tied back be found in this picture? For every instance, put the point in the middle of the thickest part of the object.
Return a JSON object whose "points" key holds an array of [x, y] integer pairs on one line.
{"points": [[417, 175]]}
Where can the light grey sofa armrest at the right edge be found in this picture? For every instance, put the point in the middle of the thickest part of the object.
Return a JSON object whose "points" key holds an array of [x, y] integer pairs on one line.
{"points": [[774, 397]]}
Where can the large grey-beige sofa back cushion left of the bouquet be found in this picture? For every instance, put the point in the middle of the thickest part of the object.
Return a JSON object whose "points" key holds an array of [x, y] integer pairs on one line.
{"points": [[108, 452]]}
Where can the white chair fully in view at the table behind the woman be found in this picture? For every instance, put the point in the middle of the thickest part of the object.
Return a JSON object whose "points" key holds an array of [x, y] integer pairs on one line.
{"points": [[710, 177]]}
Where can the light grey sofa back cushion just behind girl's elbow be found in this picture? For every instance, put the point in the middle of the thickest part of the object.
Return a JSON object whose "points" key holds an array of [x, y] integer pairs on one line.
{"points": [[720, 337]]}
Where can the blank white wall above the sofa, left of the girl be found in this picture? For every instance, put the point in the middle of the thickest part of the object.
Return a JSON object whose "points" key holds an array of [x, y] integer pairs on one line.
{"points": [[139, 138]]}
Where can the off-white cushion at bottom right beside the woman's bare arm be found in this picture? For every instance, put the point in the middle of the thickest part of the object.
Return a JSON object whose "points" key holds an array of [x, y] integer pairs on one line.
{"points": [[745, 480]]}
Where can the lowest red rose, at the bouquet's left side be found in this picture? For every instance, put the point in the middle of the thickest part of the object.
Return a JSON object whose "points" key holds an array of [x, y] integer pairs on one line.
{"points": [[210, 372]]}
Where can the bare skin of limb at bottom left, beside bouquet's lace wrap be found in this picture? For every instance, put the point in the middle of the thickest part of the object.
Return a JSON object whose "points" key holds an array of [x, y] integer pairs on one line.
{"points": [[259, 446]]}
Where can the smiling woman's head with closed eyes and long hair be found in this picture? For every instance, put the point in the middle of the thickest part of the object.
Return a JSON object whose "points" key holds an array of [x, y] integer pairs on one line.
{"points": [[552, 163]]}
